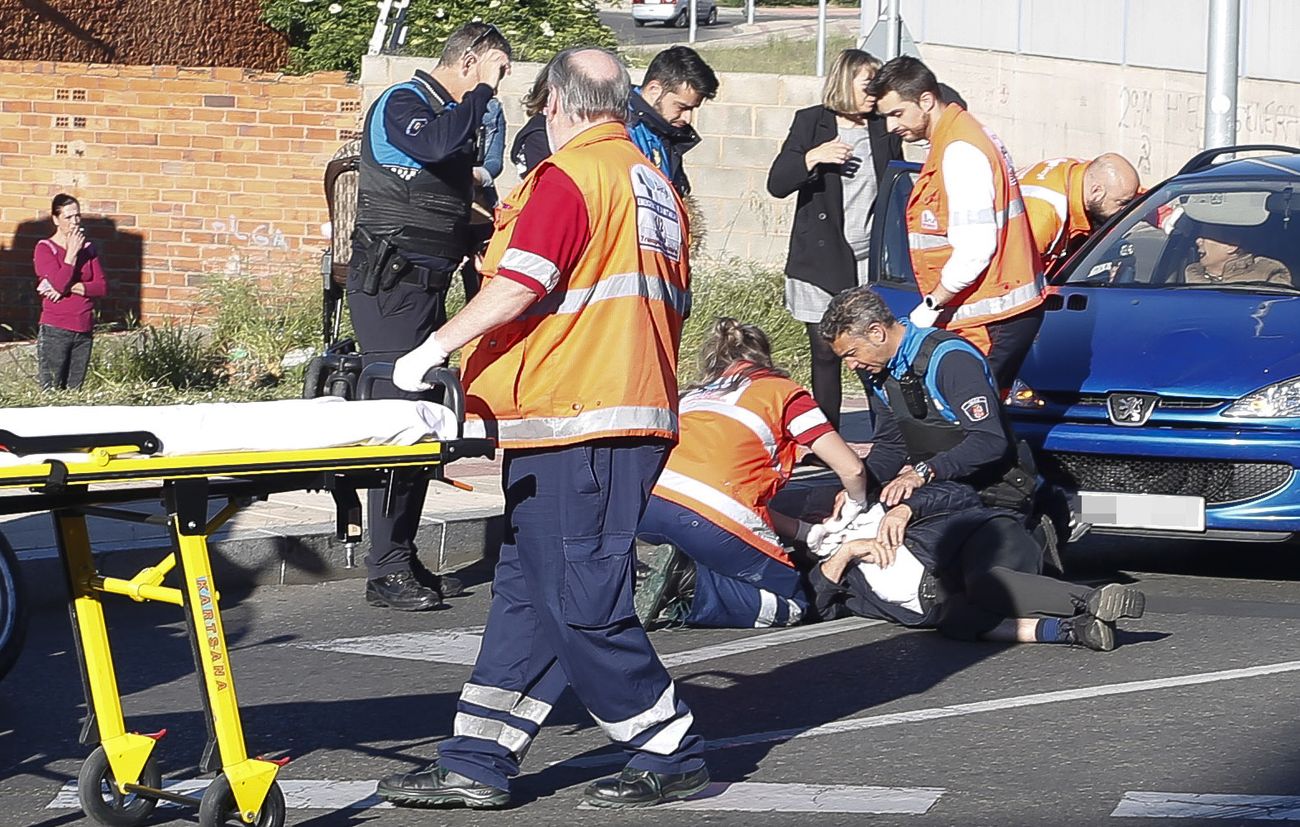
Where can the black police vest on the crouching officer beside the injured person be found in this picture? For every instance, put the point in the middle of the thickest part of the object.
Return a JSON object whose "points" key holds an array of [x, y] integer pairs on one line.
{"points": [[928, 434]]}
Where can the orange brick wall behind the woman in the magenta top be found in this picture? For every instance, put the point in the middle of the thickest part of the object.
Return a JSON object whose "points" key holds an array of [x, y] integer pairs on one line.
{"points": [[181, 174]]}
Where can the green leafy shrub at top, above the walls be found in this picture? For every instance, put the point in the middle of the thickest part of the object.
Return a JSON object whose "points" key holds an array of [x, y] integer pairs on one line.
{"points": [[335, 34]]}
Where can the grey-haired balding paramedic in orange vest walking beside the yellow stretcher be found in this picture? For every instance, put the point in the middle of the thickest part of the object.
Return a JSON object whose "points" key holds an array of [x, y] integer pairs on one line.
{"points": [[570, 363]]}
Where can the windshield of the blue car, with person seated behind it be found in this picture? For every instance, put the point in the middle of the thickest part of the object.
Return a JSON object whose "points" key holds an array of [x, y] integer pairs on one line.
{"points": [[1238, 236]]}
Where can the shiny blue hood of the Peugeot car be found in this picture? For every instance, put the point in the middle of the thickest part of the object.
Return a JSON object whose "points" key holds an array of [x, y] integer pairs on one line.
{"points": [[1193, 343]]}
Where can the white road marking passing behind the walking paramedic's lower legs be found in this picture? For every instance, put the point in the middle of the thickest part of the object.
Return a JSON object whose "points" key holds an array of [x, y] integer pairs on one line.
{"points": [[461, 646]]}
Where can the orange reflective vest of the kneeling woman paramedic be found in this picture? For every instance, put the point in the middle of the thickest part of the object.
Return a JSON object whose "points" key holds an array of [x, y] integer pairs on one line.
{"points": [[734, 457]]}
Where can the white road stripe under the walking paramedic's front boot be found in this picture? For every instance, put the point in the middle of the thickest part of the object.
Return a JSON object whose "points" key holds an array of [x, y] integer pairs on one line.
{"points": [[755, 798]]}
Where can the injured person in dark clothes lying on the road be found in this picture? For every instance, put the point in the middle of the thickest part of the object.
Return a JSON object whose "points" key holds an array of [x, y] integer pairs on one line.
{"points": [[943, 560]]}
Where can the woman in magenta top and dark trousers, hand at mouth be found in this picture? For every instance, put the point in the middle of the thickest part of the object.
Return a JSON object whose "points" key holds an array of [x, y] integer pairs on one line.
{"points": [[68, 280]]}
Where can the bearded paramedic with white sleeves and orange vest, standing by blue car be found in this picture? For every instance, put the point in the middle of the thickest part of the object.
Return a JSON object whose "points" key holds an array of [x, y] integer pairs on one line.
{"points": [[972, 246]]}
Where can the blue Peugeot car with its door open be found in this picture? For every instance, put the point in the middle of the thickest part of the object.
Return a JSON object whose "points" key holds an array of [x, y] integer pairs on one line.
{"points": [[1164, 388]]}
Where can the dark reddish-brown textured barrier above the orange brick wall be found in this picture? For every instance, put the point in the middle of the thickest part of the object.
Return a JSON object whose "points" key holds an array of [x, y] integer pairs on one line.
{"points": [[211, 33]]}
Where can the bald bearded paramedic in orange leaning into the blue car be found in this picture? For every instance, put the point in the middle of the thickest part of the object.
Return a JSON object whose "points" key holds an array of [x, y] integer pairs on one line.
{"points": [[1069, 198]]}
